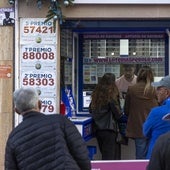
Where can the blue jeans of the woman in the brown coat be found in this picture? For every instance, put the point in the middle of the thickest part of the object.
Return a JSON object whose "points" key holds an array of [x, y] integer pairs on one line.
{"points": [[141, 145]]}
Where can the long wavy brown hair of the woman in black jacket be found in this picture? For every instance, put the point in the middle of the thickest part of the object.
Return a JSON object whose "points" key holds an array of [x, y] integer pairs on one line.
{"points": [[105, 91]]}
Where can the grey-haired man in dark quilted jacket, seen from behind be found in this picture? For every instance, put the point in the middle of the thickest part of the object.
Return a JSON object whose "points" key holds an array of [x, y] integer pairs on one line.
{"points": [[43, 142]]}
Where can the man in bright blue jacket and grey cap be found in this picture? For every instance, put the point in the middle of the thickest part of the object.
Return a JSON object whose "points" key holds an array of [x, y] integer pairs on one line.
{"points": [[154, 126]]}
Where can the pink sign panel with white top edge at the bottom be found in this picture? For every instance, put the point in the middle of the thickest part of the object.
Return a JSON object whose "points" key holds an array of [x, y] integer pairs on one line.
{"points": [[120, 165]]}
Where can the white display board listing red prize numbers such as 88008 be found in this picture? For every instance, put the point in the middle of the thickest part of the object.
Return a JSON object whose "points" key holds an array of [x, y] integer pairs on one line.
{"points": [[38, 60]]}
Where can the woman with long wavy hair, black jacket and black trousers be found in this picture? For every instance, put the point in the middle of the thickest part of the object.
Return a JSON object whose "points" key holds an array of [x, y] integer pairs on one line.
{"points": [[105, 111]]}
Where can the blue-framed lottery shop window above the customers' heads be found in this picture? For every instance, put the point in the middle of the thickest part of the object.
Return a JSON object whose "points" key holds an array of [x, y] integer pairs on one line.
{"points": [[103, 53]]}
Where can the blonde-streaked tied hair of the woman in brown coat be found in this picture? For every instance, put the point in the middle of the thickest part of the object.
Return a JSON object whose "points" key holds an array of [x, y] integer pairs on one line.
{"points": [[145, 75]]}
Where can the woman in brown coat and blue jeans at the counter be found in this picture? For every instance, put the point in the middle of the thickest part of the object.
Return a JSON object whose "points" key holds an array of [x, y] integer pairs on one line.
{"points": [[140, 99]]}
